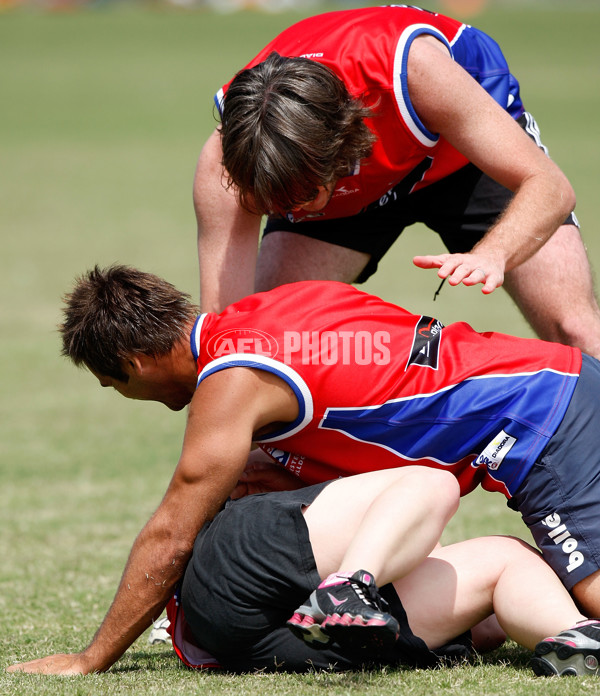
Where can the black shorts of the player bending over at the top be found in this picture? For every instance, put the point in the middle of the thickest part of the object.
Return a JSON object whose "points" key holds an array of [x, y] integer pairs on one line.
{"points": [[461, 208]]}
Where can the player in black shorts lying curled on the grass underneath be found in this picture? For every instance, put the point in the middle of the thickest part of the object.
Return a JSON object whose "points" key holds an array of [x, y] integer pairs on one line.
{"points": [[363, 541]]}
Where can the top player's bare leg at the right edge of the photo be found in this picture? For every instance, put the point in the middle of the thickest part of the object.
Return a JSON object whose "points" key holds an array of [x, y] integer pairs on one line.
{"points": [[554, 291]]}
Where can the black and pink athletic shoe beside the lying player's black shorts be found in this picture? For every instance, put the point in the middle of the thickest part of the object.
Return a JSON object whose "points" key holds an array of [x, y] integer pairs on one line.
{"points": [[348, 610]]}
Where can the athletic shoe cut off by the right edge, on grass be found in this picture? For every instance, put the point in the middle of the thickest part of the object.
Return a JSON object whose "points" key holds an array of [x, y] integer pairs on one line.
{"points": [[575, 652]]}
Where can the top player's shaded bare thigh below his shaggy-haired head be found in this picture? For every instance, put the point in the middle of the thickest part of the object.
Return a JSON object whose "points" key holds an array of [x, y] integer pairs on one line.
{"points": [[285, 257]]}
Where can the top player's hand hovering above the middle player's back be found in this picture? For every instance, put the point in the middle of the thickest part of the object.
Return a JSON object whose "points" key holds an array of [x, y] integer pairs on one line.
{"points": [[469, 269]]}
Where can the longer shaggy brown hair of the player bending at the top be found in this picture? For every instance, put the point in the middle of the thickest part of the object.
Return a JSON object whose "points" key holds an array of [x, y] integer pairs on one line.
{"points": [[288, 126]]}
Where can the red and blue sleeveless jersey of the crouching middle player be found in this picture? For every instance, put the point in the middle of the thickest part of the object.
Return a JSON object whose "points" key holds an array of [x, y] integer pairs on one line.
{"points": [[378, 387]]}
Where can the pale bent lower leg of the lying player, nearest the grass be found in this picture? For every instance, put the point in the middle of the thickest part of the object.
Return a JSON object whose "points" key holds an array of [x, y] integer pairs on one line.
{"points": [[460, 585]]}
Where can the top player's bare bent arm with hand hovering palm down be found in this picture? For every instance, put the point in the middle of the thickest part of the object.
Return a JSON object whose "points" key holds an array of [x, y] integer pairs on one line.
{"points": [[451, 103]]}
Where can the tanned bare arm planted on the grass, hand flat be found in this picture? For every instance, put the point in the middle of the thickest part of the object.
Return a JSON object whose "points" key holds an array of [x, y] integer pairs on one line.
{"points": [[226, 410]]}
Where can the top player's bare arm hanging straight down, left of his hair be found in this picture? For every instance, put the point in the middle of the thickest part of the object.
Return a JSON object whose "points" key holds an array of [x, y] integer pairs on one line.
{"points": [[227, 234]]}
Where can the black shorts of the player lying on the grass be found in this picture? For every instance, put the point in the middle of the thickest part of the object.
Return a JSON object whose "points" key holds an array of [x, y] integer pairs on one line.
{"points": [[252, 567]]}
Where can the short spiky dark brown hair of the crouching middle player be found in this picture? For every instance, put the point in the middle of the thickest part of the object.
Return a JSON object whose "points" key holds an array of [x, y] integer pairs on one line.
{"points": [[116, 311]]}
